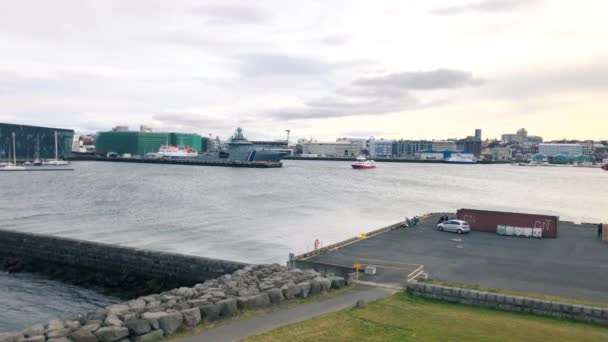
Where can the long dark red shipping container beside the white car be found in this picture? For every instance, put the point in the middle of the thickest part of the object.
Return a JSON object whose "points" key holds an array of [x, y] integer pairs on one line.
{"points": [[488, 221]]}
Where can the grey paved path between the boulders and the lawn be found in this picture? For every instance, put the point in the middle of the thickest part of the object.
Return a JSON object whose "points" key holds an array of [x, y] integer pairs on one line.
{"points": [[241, 329]]}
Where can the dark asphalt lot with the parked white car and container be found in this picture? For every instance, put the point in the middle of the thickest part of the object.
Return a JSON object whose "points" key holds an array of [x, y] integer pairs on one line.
{"points": [[573, 265]]}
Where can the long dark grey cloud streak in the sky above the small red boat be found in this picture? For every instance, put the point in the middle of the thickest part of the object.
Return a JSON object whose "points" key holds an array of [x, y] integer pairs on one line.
{"points": [[380, 95]]}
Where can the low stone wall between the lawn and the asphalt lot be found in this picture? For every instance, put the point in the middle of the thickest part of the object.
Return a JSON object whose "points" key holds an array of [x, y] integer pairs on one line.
{"points": [[510, 303]]}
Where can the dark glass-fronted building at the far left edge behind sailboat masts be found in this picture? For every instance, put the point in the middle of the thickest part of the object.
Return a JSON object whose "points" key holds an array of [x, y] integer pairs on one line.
{"points": [[34, 141]]}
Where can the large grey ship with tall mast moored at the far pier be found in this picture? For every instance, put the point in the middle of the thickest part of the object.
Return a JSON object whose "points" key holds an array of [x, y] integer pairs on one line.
{"points": [[238, 148]]}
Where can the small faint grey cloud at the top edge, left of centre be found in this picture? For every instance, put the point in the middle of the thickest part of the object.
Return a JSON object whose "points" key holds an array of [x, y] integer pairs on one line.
{"points": [[233, 14]]}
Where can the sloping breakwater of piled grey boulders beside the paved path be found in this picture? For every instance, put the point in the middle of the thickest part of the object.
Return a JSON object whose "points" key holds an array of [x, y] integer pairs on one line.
{"points": [[153, 317]]}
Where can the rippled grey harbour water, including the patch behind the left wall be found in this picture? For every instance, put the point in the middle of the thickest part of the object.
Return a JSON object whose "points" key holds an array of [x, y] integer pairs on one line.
{"points": [[257, 215]]}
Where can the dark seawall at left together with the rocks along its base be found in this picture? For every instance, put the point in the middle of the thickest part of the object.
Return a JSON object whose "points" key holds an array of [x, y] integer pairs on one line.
{"points": [[86, 262]]}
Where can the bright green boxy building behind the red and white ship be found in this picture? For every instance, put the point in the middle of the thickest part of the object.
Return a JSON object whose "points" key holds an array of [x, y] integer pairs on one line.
{"points": [[140, 143]]}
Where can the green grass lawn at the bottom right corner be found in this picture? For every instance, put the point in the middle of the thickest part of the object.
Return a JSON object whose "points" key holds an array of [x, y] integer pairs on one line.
{"points": [[403, 317]]}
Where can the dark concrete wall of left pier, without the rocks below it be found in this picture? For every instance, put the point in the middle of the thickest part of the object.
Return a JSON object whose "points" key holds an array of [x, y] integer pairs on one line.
{"points": [[115, 259]]}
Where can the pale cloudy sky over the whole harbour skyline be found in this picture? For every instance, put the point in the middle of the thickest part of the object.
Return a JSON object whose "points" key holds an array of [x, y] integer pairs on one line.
{"points": [[322, 69]]}
